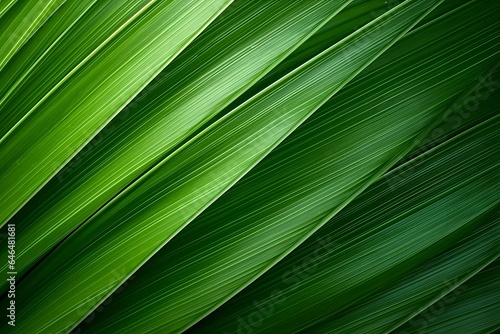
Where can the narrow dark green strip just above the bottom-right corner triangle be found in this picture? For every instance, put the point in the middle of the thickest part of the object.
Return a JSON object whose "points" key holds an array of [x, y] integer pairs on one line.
{"points": [[381, 312]]}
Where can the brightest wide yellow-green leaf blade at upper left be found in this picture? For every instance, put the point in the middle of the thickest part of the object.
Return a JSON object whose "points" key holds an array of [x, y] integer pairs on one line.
{"points": [[64, 121]]}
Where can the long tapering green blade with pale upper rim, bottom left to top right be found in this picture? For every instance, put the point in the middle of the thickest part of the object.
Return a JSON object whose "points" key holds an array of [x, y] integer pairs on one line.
{"points": [[142, 219]]}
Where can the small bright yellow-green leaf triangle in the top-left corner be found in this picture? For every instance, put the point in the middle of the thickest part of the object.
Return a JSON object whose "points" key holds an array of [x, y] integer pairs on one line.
{"points": [[20, 22]]}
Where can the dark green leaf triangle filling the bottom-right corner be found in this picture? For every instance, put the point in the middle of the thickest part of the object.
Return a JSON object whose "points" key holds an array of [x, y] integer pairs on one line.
{"points": [[470, 308]]}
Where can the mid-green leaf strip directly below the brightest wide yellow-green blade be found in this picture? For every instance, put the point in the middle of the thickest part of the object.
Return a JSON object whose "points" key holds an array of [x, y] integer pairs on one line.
{"points": [[235, 51]]}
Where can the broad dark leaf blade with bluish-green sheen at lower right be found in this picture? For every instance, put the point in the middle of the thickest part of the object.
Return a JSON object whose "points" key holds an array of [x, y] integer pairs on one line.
{"points": [[382, 235]]}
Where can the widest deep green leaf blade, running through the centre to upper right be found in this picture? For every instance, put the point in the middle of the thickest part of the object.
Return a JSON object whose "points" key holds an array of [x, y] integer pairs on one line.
{"points": [[302, 181]]}
